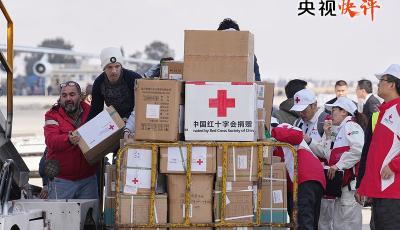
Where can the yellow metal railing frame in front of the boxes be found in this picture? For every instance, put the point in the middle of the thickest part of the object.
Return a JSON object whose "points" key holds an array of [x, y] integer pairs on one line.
{"points": [[152, 223]]}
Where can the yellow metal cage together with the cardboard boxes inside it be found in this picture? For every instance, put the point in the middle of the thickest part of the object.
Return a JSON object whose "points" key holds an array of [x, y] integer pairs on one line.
{"points": [[226, 185]]}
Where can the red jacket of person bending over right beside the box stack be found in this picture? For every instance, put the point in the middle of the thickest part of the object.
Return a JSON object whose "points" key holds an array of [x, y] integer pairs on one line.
{"points": [[309, 166]]}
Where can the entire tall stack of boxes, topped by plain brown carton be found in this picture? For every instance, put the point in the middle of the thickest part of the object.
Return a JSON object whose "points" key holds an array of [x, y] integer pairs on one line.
{"points": [[219, 101]]}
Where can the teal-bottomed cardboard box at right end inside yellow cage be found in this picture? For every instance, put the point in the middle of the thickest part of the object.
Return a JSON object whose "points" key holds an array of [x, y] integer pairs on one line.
{"points": [[274, 188]]}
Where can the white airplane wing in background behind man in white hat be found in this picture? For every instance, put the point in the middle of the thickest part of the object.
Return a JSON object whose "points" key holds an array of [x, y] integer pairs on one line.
{"points": [[45, 50]]}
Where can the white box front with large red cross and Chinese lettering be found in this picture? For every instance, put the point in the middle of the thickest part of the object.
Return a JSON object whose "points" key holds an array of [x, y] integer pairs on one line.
{"points": [[220, 111]]}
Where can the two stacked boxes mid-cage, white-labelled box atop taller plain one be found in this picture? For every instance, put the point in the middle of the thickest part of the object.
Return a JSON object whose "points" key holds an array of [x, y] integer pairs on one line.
{"points": [[203, 168]]}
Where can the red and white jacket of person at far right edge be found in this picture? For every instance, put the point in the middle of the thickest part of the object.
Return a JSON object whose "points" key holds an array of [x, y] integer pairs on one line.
{"points": [[384, 150]]}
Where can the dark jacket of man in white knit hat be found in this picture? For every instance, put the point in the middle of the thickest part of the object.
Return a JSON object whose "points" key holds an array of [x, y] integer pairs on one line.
{"points": [[123, 99]]}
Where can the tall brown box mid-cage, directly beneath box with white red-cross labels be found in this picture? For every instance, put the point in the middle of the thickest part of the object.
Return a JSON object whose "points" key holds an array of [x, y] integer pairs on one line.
{"points": [[200, 194]]}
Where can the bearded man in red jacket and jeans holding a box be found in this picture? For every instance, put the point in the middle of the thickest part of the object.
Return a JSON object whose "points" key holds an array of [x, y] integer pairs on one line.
{"points": [[76, 178]]}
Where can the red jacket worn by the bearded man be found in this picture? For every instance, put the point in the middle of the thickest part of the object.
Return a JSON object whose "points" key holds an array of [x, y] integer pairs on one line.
{"points": [[73, 165]]}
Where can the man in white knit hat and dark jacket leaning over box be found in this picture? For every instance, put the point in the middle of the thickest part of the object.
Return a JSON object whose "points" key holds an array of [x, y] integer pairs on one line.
{"points": [[115, 86]]}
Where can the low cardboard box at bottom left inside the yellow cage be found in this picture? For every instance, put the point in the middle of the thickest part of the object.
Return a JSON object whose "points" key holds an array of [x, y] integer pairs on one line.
{"points": [[134, 209]]}
